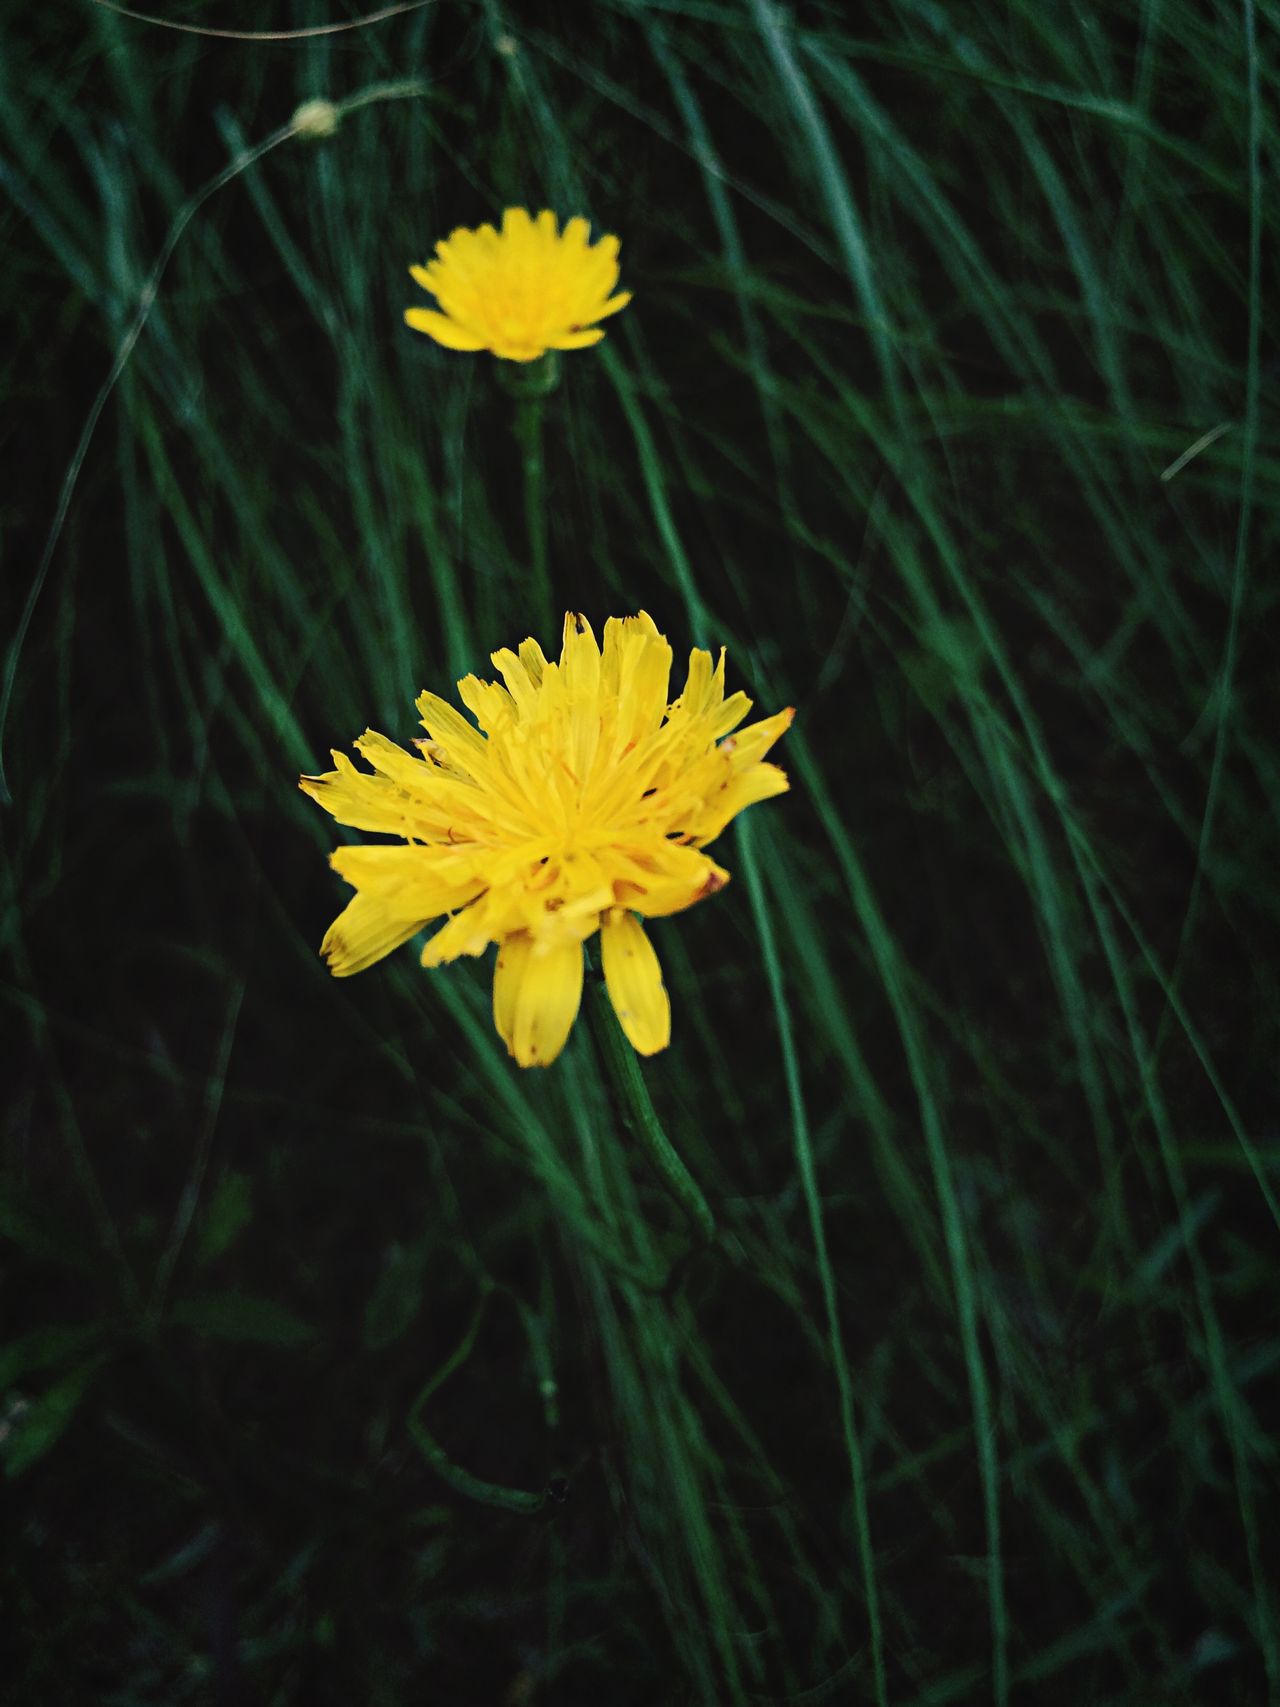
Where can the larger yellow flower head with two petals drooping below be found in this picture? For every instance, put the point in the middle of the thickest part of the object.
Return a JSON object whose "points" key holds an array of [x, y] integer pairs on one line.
{"points": [[581, 803]]}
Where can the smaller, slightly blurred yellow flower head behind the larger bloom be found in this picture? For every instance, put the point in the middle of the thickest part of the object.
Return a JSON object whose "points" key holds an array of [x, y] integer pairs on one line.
{"points": [[523, 291]]}
